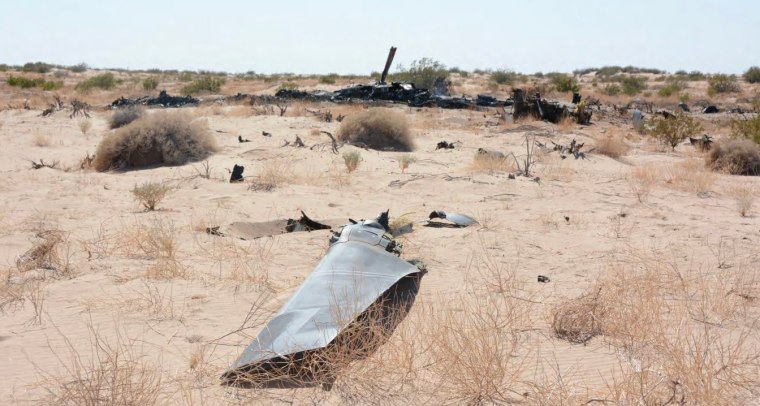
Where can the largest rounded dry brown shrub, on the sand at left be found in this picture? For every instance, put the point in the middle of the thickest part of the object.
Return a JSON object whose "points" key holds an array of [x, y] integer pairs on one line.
{"points": [[162, 138]]}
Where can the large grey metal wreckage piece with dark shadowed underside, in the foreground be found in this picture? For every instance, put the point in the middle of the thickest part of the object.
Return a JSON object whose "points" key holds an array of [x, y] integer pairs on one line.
{"points": [[346, 308]]}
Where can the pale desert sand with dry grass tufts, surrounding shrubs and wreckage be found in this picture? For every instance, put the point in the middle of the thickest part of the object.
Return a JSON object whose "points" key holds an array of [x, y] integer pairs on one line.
{"points": [[179, 305]]}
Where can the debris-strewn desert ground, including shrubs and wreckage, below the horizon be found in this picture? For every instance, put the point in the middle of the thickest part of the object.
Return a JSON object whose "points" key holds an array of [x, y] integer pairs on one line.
{"points": [[318, 243]]}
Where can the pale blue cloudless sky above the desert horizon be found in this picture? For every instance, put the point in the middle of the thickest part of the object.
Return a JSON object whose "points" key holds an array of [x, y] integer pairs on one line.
{"points": [[344, 37]]}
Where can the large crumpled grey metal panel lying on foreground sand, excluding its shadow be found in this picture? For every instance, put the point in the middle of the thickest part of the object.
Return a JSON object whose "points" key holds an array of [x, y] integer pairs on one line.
{"points": [[357, 270]]}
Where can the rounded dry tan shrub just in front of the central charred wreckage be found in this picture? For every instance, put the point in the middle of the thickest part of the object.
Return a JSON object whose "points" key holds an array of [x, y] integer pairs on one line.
{"points": [[377, 128]]}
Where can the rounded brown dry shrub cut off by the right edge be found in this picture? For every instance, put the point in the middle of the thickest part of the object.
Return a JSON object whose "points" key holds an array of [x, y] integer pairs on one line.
{"points": [[736, 156]]}
